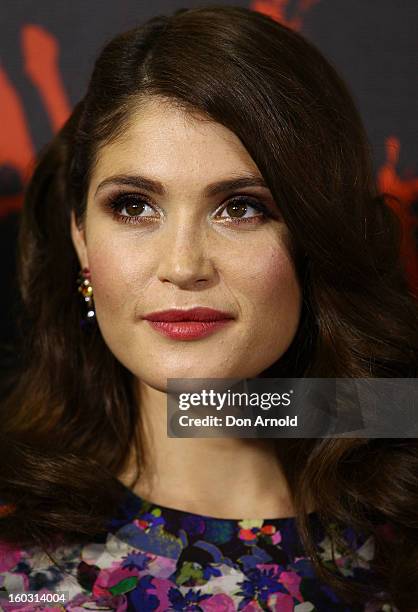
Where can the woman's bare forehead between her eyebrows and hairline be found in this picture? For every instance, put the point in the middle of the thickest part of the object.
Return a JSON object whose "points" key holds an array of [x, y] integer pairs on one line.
{"points": [[171, 146]]}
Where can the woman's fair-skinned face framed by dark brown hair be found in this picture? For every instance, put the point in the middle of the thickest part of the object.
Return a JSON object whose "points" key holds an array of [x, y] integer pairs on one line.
{"points": [[186, 241]]}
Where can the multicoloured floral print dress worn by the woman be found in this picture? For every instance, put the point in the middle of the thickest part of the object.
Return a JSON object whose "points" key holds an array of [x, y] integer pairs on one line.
{"points": [[155, 558]]}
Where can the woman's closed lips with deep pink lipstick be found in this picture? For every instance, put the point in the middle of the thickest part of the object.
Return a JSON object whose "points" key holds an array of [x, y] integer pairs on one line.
{"points": [[188, 324]]}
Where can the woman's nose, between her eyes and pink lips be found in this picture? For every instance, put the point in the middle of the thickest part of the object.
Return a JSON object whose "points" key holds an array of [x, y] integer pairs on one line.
{"points": [[184, 259]]}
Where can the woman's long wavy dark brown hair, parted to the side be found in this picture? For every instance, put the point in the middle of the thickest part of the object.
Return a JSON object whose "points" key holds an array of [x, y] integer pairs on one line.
{"points": [[71, 415]]}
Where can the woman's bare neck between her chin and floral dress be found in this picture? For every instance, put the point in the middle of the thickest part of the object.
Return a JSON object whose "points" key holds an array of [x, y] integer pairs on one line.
{"points": [[220, 477]]}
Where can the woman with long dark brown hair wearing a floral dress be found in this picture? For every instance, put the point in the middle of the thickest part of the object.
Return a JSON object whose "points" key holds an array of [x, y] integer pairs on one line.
{"points": [[217, 161]]}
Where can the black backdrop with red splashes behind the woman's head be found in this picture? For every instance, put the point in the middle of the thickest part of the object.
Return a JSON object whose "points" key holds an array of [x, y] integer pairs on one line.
{"points": [[47, 50]]}
